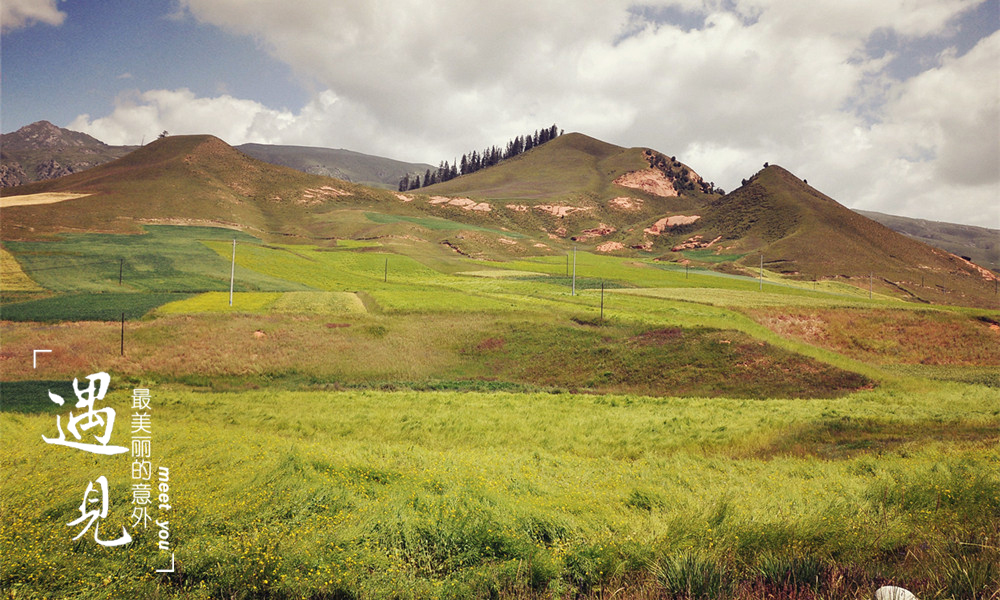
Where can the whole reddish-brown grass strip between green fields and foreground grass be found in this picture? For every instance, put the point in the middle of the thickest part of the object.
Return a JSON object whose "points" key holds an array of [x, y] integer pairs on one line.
{"points": [[463, 350]]}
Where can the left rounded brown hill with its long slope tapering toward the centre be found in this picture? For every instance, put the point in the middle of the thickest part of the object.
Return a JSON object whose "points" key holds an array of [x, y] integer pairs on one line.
{"points": [[200, 180]]}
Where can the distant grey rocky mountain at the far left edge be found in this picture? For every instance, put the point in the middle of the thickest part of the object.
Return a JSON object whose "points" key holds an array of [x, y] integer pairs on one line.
{"points": [[43, 151]]}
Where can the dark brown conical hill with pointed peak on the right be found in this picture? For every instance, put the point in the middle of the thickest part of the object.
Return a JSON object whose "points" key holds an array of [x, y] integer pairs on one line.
{"points": [[805, 234]]}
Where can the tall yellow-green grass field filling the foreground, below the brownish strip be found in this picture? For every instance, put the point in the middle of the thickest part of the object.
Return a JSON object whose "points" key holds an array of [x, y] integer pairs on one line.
{"points": [[373, 494]]}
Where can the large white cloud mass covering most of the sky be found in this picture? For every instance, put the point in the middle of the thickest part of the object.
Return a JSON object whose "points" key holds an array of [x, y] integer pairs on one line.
{"points": [[761, 80]]}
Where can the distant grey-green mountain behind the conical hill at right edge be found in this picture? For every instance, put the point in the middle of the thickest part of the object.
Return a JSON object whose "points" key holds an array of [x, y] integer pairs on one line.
{"points": [[981, 245]]}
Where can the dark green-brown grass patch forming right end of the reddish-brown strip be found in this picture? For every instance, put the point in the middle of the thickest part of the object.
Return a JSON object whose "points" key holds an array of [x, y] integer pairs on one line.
{"points": [[671, 361]]}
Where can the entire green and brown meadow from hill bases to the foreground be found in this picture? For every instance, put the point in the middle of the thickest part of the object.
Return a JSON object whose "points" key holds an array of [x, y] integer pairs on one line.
{"points": [[369, 420]]}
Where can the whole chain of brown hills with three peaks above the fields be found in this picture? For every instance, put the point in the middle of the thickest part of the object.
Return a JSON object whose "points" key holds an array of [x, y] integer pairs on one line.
{"points": [[573, 191]]}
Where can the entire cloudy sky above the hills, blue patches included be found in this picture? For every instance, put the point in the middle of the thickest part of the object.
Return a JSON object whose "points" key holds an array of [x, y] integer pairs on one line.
{"points": [[888, 105]]}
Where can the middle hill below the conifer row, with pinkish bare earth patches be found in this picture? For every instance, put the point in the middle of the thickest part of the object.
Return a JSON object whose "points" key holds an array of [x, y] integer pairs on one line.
{"points": [[584, 190]]}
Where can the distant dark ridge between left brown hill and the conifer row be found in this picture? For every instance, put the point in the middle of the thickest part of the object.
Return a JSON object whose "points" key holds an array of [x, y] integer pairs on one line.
{"points": [[356, 167]]}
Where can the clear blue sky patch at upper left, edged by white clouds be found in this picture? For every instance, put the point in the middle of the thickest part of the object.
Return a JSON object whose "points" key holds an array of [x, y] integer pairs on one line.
{"points": [[105, 48]]}
